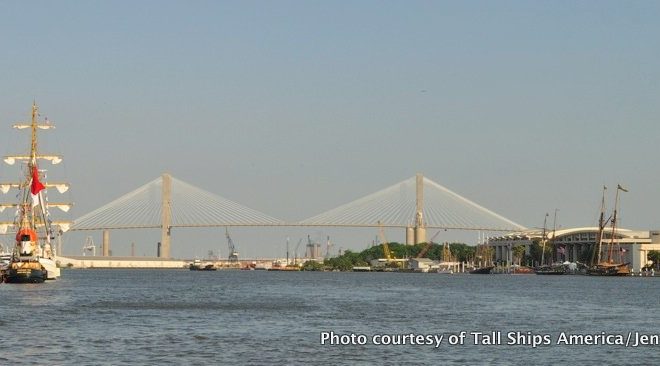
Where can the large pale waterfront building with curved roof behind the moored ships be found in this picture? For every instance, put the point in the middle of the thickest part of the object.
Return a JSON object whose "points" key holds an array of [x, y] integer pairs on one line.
{"points": [[577, 245]]}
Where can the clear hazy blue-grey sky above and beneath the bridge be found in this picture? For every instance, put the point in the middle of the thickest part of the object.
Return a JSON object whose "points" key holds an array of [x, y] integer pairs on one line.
{"points": [[293, 108]]}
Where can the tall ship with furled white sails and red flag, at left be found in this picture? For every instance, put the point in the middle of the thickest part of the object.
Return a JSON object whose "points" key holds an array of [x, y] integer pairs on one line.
{"points": [[34, 255]]}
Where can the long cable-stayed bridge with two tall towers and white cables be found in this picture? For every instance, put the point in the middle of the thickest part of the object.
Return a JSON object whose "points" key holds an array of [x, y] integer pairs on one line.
{"points": [[416, 203]]}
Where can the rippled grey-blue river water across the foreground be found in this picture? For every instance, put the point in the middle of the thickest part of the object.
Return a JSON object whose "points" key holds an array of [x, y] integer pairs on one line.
{"points": [[181, 317]]}
